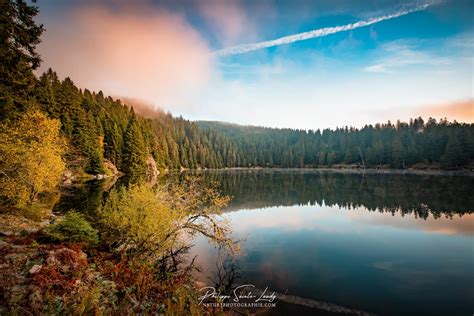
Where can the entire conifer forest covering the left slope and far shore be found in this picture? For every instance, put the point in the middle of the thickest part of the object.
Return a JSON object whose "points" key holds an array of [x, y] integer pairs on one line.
{"points": [[100, 127]]}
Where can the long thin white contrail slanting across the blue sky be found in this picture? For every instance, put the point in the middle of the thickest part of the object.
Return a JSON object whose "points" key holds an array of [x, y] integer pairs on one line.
{"points": [[244, 48]]}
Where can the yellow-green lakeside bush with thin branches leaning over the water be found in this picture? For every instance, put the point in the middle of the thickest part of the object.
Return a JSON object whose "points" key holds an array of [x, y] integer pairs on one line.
{"points": [[145, 221]]}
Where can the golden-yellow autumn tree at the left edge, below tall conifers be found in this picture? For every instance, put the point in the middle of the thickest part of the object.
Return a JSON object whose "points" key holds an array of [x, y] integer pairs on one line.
{"points": [[30, 157]]}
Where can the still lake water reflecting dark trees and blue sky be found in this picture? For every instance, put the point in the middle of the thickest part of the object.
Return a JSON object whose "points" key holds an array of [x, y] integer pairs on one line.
{"points": [[388, 244]]}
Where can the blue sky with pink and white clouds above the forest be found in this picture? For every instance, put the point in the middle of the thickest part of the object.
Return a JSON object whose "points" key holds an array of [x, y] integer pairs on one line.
{"points": [[303, 64]]}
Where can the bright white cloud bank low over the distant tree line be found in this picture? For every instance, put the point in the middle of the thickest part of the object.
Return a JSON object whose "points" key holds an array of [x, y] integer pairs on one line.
{"points": [[326, 92]]}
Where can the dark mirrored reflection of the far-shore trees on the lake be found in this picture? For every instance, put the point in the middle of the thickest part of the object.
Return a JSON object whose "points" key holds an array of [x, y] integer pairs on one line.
{"points": [[409, 193]]}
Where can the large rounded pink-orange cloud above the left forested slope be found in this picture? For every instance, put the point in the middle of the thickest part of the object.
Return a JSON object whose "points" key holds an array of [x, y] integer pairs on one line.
{"points": [[138, 52]]}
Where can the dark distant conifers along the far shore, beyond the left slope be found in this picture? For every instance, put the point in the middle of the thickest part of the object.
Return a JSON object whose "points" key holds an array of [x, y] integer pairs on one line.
{"points": [[400, 145]]}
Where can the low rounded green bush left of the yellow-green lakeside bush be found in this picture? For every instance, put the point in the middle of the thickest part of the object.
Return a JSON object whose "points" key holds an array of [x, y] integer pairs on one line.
{"points": [[74, 227]]}
